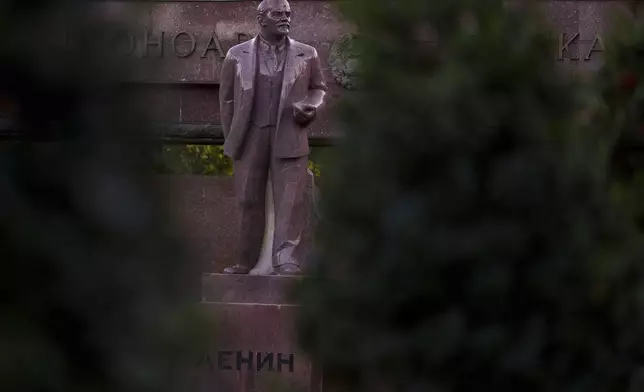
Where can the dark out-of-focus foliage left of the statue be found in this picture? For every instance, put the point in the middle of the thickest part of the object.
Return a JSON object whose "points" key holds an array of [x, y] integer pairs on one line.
{"points": [[96, 294]]}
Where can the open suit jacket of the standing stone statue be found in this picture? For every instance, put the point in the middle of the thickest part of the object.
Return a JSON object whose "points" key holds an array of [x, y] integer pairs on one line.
{"points": [[303, 80]]}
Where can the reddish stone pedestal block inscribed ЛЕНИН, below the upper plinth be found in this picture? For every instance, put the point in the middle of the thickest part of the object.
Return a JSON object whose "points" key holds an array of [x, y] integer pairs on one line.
{"points": [[254, 350]]}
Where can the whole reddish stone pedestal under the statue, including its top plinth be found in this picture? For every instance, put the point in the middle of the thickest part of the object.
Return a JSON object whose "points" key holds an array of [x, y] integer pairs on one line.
{"points": [[254, 347]]}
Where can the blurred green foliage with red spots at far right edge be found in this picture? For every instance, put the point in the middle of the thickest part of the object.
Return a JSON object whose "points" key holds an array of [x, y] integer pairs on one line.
{"points": [[618, 116]]}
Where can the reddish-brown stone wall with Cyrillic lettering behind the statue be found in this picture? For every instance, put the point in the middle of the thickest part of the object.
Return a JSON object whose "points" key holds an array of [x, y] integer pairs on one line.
{"points": [[184, 89]]}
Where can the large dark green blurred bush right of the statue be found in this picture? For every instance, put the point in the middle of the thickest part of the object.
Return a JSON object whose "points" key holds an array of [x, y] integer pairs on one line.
{"points": [[470, 240]]}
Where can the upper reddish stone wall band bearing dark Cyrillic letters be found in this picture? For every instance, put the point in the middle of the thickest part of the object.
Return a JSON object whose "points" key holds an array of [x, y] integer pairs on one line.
{"points": [[189, 27]]}
